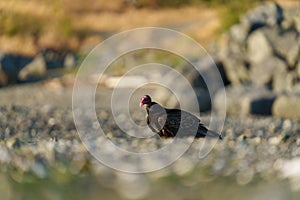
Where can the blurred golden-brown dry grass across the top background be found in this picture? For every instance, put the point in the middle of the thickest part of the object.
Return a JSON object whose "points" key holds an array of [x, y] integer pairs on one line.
{"points": [[28, 25]]}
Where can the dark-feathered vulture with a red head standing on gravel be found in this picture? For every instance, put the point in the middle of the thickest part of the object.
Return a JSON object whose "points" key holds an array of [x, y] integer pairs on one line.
{"points": [[166, 122]]}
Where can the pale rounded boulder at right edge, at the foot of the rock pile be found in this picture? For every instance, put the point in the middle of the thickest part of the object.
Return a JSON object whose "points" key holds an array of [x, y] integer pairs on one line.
{"points": [[287, 106]]}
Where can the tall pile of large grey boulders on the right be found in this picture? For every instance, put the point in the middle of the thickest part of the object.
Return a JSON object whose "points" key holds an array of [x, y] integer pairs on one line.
{"points": [[261, 57]]}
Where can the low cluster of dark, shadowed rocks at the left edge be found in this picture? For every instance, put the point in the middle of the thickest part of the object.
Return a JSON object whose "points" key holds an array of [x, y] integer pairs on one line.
{"points": [[18, 68]]}
